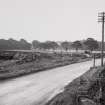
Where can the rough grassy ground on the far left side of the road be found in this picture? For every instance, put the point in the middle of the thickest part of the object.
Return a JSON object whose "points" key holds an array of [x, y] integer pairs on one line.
{"points": [[14, 63]]}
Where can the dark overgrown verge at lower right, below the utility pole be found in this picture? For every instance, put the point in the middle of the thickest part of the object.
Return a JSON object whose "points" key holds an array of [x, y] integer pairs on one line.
{"points": [[87, 89]]}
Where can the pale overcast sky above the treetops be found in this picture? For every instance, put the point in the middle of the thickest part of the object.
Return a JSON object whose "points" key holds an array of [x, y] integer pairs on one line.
{"points": [[56, 20]]}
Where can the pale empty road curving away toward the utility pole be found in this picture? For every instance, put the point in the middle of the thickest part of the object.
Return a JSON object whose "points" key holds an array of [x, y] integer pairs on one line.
{"points": [[38, 88]]}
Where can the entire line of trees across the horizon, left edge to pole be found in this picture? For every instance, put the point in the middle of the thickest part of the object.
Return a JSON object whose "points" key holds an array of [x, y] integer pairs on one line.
{"points": [[88, 44]]}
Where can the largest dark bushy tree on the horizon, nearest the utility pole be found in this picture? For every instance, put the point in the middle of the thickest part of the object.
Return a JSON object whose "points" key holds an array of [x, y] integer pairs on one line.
{"points": [[91, 44]]}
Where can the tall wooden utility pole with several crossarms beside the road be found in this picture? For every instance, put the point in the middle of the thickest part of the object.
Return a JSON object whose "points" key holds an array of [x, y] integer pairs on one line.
{"points": [[101, 19]]}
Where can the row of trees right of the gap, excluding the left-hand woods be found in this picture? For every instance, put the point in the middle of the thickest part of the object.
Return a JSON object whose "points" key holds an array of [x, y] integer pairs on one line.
{"points": [[88, 44]]}
